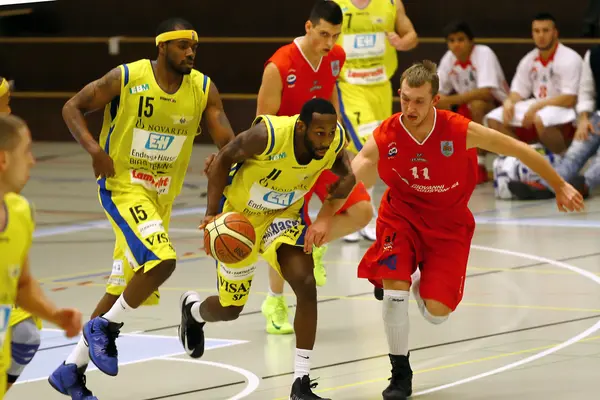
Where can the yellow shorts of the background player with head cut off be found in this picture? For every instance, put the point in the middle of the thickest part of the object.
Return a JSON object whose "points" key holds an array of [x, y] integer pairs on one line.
{"points": [[363, 108]]}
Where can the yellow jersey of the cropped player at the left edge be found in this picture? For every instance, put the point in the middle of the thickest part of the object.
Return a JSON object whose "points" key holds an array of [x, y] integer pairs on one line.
{"points": [[15, 240]]}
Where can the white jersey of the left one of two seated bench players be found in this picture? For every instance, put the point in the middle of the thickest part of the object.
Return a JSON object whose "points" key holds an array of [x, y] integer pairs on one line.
{"points": [[482, 70]]}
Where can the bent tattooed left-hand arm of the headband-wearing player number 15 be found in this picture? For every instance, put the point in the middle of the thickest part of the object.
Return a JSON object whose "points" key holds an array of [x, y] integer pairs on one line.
{"points": [[92, 97]]}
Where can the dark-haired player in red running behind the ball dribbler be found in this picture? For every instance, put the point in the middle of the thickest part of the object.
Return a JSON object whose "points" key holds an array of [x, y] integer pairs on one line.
{"points": [[304, 69]]}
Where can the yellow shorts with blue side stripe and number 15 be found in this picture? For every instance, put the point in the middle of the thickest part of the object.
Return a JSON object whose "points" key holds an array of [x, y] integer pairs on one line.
{"points": [[142, 241]]}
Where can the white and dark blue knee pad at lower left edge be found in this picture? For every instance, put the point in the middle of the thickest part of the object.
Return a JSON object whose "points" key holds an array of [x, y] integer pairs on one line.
{"points": [[25, 343]]}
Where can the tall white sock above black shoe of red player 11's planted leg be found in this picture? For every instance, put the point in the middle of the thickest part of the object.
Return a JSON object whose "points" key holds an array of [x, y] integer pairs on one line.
{"points": [[395, 320]]}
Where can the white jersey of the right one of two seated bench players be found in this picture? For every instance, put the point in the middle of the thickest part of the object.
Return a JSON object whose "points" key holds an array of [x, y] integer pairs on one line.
{"points": [[558, 75]]}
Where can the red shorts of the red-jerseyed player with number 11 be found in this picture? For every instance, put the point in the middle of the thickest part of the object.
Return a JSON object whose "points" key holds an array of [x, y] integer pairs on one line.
{"points": [[401, 247]]}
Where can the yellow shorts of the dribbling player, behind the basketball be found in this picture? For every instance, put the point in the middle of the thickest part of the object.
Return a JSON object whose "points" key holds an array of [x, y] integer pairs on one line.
{"points": [[284, 227]]}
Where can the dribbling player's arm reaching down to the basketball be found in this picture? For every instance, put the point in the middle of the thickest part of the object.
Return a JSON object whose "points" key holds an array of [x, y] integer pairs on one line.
{"points": [[243, 146]]}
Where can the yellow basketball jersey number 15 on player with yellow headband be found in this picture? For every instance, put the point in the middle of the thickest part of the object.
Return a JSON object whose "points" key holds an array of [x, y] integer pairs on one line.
{"points": [[149, 133]]}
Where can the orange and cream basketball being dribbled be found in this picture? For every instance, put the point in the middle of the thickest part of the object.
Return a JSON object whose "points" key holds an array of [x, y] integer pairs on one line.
{"points": [[229, 237]]}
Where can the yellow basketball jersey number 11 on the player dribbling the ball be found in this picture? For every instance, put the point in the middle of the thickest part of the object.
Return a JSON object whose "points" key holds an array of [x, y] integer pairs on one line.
{"points": [[274, 180]]}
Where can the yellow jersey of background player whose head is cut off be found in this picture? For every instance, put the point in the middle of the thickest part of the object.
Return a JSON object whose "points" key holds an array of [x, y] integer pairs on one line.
{"points": [[370, 58]]}
